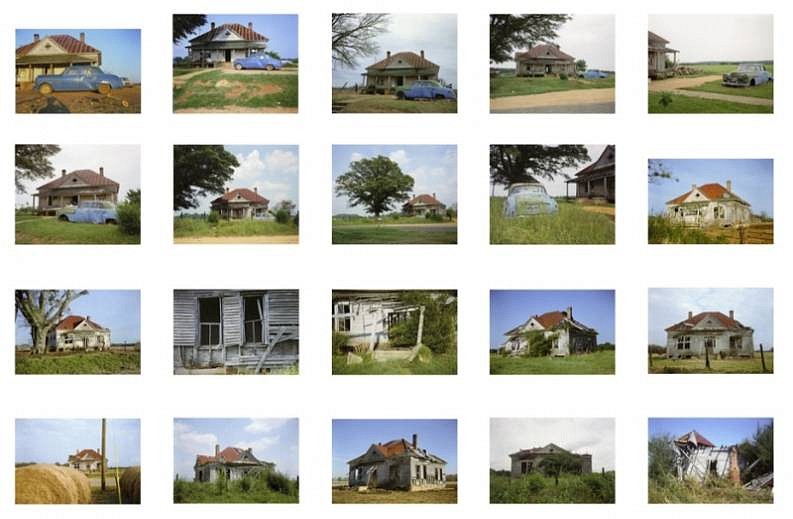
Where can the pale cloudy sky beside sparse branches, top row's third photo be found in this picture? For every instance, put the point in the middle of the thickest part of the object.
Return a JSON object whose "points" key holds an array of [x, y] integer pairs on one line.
{"points": [[435, 34]]}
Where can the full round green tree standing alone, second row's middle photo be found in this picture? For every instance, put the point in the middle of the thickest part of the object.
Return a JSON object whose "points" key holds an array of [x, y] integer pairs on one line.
{"points": [[376, 183]]}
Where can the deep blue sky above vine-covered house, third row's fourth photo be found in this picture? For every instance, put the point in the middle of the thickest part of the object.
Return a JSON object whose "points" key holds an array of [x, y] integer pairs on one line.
{"points": [[509, 308]]}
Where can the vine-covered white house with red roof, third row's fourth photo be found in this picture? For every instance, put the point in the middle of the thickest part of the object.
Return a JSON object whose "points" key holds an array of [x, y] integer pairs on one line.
{"points": [[567, 335]]}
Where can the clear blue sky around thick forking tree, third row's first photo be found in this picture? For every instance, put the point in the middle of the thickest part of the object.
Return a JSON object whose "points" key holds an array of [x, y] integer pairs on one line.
{"points": [[118, 310]]}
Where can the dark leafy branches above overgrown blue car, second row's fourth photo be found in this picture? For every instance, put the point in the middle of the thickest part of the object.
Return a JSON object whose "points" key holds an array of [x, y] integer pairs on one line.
{"points": [[513, 163]]}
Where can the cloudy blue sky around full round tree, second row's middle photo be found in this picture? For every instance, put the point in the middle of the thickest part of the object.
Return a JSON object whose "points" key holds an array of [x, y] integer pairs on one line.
{"points": [[433, 168]]}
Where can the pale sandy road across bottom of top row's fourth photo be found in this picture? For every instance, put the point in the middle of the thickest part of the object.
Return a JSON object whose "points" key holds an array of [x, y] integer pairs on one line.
{"points": [[592, 100]]}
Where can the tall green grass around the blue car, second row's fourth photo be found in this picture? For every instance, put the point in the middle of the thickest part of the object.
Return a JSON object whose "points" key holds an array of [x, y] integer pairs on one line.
{"points": [[571, 225]]}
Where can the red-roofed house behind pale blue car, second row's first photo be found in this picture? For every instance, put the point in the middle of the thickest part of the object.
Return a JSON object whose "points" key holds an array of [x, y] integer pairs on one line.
{"points": [[72, 188]]}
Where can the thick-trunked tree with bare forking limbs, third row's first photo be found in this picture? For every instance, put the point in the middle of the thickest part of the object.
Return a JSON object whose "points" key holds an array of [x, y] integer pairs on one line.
{"points": [[42, 310]]}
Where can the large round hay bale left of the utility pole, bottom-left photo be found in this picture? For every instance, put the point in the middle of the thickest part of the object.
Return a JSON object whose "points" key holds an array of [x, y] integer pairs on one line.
{"points": [[50, 484]]}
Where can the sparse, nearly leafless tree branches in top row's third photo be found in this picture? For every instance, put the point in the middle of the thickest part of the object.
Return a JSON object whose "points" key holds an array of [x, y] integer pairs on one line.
{"points": [[353, 36]]}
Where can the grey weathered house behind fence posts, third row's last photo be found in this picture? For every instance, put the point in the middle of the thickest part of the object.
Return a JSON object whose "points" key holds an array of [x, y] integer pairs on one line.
{"points": [[714, 332]]}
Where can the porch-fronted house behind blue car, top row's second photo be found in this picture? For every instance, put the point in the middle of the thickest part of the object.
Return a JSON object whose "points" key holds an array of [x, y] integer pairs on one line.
{"points": [[221, 45]]}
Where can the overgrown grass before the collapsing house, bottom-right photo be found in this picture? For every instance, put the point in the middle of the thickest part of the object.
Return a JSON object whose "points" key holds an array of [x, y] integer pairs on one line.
{"points": [[716, 491]]}
